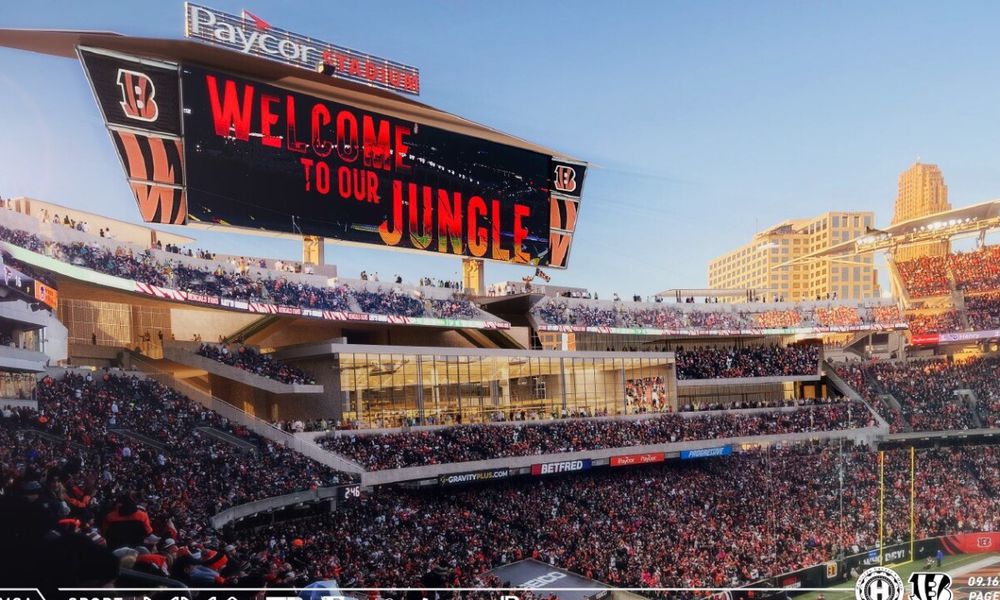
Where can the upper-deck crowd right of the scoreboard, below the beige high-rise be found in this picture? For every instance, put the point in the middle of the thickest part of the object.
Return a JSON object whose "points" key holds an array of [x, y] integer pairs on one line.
{"points": [[560, 311]]}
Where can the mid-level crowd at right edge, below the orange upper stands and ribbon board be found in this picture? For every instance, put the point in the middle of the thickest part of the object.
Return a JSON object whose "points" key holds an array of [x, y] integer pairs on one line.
{"points": [[925, 391]]}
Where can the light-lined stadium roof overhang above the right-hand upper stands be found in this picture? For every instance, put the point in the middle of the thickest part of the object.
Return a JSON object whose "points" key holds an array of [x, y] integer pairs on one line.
{"points": [[930, 228]]}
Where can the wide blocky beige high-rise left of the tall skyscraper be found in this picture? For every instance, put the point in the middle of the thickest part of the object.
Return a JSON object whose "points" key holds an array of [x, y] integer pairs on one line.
{"points": [[755, 265]]}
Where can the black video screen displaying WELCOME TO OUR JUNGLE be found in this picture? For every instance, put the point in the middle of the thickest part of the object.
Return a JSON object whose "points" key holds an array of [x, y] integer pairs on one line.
{"points": [[263, 157]]}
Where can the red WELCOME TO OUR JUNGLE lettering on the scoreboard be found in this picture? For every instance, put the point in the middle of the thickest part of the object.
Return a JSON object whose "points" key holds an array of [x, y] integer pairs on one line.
{"points": [[343, 152]]}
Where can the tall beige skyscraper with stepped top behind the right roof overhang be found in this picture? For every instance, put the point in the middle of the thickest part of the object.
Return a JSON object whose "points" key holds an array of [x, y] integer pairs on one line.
{"points": [[922, 192]]}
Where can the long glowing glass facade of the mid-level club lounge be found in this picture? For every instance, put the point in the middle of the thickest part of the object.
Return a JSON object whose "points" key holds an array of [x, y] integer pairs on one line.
{"points": [[393, 390]]}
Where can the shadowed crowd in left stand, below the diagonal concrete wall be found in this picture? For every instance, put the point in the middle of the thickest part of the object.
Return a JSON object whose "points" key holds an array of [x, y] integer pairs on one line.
{"points": [[128, 463]]}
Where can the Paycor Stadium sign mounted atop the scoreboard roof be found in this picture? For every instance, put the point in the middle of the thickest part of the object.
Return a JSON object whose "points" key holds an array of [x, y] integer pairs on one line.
{"points": [[249, 34]]}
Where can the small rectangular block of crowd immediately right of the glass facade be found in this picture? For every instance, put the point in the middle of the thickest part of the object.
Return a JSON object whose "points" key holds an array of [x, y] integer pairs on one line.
{"points": [[715, 362]]}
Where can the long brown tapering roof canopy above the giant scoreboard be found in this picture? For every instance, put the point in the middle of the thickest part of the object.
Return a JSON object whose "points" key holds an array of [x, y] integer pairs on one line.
{"points": [[64, 43]]}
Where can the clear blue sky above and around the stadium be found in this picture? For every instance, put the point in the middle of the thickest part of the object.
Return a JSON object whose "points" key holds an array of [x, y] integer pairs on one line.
{"points": [[704, 120]]}
